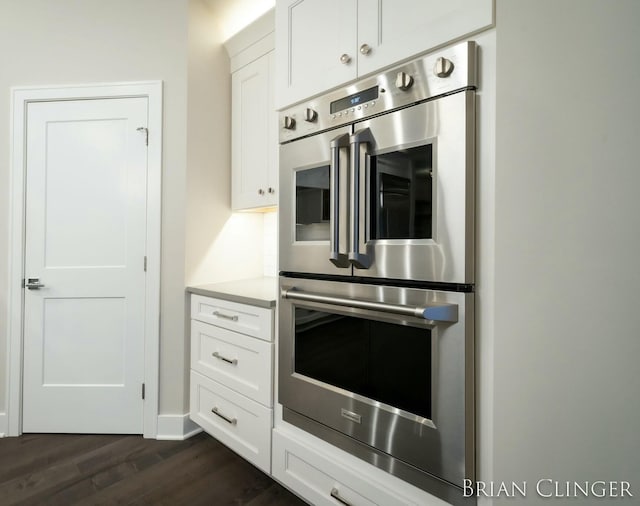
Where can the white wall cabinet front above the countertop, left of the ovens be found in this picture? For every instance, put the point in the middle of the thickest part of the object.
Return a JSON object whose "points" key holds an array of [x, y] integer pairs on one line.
{"points": [[253, 148]]}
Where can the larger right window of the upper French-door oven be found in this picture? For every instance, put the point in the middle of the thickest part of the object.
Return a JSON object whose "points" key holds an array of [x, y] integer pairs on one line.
{"points": [[401, 194]]}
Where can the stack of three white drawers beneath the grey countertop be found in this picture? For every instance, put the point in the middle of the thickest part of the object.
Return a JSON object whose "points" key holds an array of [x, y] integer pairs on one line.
{"points": [[231, 389]]}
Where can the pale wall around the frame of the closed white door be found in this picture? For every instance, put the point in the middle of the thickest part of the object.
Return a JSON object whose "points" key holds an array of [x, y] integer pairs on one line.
{"points": [[66, 41]]}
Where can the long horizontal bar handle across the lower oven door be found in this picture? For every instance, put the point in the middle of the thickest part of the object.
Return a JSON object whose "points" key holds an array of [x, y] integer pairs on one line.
{"points": [[440, 312]]}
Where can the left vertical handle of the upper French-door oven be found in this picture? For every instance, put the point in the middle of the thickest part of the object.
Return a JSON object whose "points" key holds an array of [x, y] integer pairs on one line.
{"points": [[338, 221]]}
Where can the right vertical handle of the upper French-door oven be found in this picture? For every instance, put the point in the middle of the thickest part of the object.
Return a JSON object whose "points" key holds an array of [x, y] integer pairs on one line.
{"points": [[357, 252]]}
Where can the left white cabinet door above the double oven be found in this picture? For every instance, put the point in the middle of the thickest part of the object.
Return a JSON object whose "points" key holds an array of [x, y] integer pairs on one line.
{"points": [[311, 37]]}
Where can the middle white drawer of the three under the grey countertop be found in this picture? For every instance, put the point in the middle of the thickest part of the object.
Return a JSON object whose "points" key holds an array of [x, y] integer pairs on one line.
{"points": [[240, 362]]}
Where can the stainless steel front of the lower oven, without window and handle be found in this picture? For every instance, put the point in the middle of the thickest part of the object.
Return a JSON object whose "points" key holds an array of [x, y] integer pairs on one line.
{"points": [[442, 445]]}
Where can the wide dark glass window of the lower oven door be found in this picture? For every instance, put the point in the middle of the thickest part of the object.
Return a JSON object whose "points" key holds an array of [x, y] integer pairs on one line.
{"points": [[384, 362]]}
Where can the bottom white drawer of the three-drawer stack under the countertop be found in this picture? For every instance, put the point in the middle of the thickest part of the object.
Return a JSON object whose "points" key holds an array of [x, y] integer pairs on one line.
{"points": [[240, 423]]}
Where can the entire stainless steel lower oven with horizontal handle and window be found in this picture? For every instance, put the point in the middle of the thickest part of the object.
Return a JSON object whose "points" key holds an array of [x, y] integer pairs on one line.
{"points": [[384, 372]]}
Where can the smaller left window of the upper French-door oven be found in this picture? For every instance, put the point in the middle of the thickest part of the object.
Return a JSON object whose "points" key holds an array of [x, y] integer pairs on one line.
{"points": [[312, 204]]}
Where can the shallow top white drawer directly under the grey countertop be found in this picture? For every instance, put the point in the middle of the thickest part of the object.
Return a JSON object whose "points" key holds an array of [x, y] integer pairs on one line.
{"points": [[250, 320]]}
